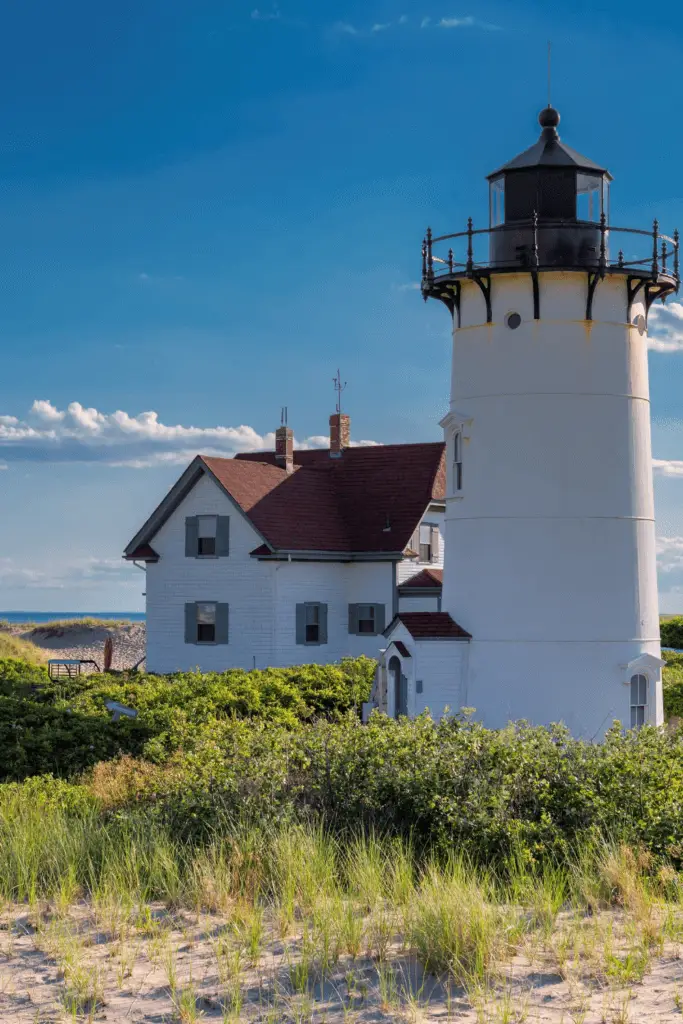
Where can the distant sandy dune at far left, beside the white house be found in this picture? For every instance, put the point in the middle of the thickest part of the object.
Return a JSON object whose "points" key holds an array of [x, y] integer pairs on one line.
{"points": [[78, 641]]}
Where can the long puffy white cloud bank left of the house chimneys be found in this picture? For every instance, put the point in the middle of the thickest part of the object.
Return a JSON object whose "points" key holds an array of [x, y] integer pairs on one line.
{"points": [[86, 435]]}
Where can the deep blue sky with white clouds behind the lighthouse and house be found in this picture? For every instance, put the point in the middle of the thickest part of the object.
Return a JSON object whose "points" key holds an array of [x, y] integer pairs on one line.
{"points": [[207, 208]]}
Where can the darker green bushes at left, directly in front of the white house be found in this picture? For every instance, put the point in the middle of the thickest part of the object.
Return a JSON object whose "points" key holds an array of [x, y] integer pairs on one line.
{"points": [[64, 728]]}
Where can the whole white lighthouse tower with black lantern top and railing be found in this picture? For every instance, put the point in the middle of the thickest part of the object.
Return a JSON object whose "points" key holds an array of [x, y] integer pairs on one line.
{"points": [[550, 548]]}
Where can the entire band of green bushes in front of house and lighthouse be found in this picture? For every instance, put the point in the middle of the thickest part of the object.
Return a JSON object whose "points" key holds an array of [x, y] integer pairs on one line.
{"points": [[207, 753]]}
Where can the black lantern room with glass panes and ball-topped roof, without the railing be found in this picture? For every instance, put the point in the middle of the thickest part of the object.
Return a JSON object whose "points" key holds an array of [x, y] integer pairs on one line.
{"points": [[548, 203]]}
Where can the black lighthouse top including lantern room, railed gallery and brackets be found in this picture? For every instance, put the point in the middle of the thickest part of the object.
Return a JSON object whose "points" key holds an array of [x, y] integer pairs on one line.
{"points": [[549, 210]]}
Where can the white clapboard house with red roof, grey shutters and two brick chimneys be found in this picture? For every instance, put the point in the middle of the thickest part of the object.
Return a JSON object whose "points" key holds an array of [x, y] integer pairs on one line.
{"points": [[294, 557]]}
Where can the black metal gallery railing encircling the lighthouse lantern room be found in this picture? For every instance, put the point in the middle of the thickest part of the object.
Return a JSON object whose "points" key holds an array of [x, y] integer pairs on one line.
{"points": [[575, 245]]}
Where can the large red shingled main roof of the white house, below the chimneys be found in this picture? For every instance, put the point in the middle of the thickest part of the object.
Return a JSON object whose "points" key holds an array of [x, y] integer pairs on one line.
{"points": [[337, 504]]}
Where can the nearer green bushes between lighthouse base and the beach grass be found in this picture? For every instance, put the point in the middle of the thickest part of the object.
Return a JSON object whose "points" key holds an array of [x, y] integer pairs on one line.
{"points": [[445, 786]]}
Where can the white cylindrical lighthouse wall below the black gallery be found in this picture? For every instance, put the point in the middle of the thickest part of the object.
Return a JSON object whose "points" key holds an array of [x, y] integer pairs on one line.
{"points": [[550, 548]]}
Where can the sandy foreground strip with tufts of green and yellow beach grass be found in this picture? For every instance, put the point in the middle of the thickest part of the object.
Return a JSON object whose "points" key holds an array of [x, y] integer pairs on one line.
{"points": [[288, 923]]}
